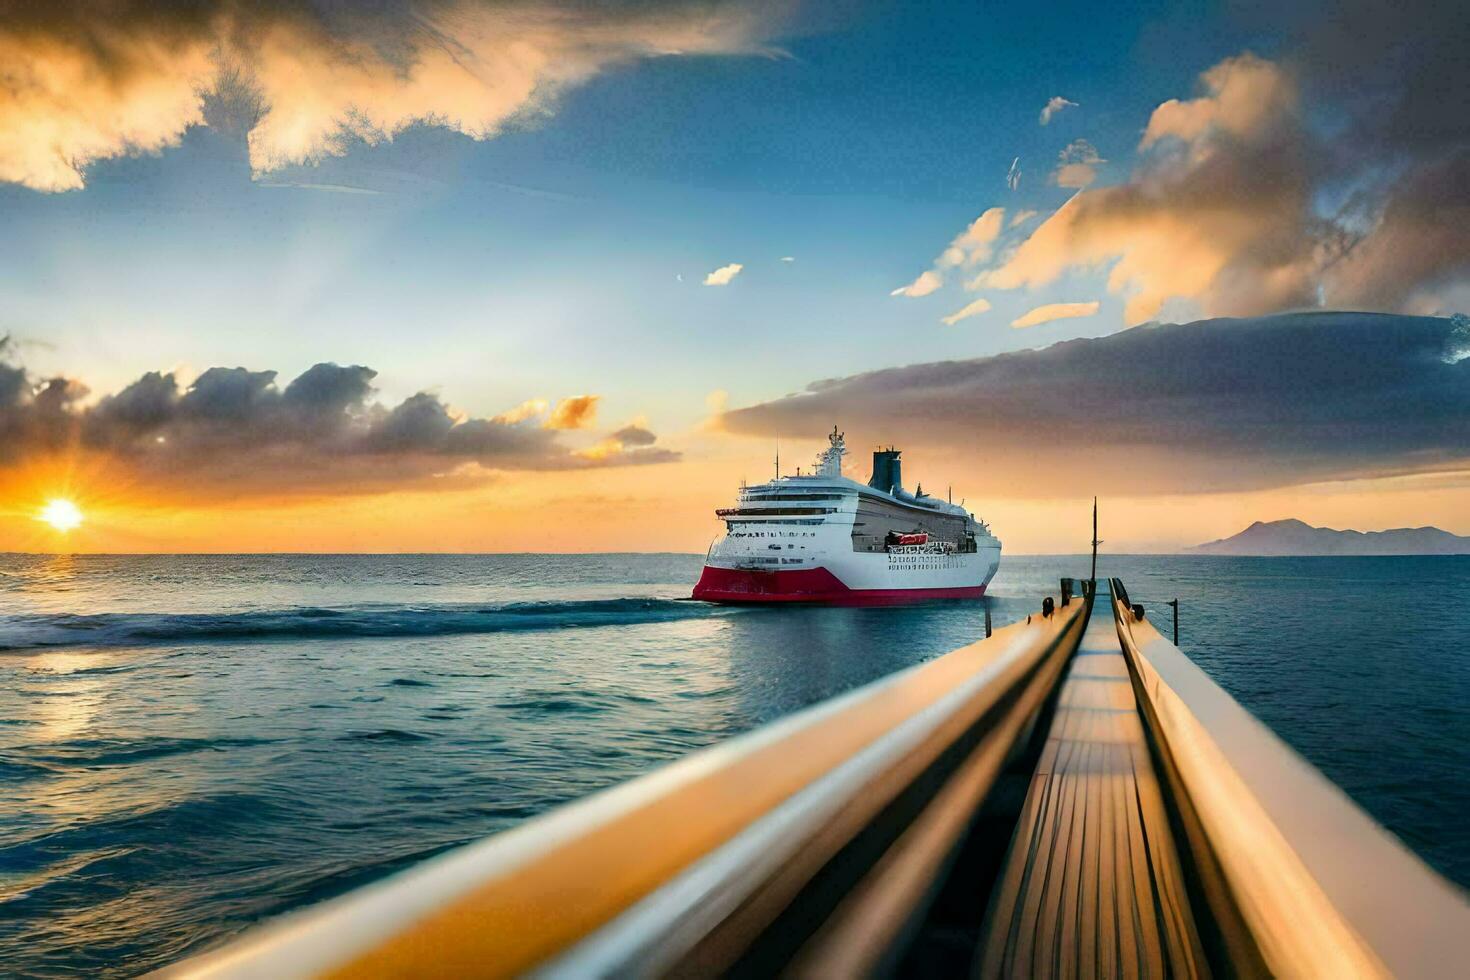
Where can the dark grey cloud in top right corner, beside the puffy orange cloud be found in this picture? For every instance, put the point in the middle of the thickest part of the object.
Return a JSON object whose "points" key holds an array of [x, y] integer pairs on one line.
{"points": [[1399, 80]]}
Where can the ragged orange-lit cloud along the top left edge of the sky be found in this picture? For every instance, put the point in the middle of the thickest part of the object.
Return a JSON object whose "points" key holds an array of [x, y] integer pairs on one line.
{"points": [[86, 84]]}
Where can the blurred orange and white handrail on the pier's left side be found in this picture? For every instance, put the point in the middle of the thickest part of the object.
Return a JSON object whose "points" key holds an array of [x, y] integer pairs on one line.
{"points": [[684, 868]]}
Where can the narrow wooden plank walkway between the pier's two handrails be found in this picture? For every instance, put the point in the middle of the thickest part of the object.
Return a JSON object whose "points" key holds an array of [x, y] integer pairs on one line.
{"points": [[1093, 885]]}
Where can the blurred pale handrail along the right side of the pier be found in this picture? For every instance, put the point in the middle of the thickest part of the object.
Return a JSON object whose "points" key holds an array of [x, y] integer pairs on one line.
{"points": [[1297, 878]]}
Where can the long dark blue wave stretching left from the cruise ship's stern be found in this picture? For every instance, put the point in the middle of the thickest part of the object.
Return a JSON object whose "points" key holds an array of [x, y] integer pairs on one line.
{"points": [[149, 630]]}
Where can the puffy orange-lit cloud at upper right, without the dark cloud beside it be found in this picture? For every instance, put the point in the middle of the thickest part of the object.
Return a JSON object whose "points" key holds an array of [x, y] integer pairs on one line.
{"points": [[1219, 214]]}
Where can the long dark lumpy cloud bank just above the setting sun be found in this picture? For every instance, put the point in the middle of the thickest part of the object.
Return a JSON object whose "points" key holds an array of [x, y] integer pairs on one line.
{"points": [[237, 431]]}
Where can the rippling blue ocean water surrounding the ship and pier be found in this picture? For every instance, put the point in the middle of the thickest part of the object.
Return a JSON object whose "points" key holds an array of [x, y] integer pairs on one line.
{"points": [[193, 744]]}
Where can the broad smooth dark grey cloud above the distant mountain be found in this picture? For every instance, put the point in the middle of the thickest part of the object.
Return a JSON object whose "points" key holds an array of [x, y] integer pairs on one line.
{"points": [[1216, 405]]}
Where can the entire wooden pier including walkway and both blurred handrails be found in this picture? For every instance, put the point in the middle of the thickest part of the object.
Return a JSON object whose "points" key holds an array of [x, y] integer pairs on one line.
{"points": [[1069, 797]]}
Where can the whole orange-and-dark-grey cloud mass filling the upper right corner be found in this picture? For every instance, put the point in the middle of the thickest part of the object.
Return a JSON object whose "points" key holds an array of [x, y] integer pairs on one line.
{"points": [[1228, 206]]}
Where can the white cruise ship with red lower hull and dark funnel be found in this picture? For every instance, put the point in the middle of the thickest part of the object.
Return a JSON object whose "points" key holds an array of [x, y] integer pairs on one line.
{"points": [[828, 538]]}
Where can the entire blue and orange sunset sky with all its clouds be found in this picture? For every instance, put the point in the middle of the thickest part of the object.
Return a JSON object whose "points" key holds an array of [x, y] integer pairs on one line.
{"points": [[556, 277]]}
